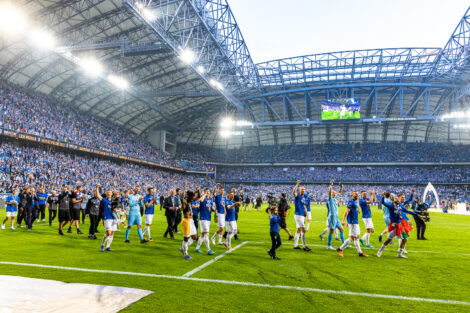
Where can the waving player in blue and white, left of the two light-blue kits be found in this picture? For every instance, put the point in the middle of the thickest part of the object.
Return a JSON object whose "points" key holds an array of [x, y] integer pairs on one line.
{"points": [[109, 218]]}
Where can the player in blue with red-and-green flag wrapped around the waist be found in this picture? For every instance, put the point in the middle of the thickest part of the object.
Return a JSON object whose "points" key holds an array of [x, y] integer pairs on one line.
{"points": [[396, 228]]}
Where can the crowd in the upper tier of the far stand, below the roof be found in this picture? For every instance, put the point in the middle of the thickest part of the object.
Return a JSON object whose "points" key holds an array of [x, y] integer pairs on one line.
{"points": [[331, 152]]}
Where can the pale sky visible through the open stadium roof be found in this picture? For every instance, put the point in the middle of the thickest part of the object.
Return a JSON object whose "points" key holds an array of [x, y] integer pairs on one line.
{"points": [[275, 29]]}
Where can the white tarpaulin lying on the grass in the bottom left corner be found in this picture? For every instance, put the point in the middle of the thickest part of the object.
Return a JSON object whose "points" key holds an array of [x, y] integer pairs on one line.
{"points": [[22, 294]]}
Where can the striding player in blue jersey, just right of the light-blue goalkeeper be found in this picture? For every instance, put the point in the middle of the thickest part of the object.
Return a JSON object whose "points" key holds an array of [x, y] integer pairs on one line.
{"points": [[352, 216]]}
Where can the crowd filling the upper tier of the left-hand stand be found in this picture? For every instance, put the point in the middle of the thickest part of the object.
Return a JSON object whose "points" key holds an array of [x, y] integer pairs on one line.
{"points": [[36, 114]]}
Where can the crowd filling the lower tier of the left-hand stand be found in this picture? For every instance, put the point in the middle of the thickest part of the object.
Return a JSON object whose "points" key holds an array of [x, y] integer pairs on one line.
{"points": [[23, 166]]}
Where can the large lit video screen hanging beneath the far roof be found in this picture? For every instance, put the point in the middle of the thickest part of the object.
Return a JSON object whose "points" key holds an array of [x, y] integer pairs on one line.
{"points": [[341, 109]]}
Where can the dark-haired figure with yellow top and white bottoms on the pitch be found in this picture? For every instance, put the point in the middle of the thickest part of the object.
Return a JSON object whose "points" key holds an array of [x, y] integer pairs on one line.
{"points": [[189, 229]]}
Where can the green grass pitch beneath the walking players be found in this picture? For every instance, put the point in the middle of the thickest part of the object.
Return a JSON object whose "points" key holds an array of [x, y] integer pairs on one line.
{"points": [[441, 275]]}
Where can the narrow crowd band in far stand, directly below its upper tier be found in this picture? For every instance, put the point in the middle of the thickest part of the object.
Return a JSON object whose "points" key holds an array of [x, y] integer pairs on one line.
{"points": [[421, 174]]}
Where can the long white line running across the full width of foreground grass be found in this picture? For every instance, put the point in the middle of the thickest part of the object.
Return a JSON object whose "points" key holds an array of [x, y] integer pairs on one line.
{"points": [[229, 282]]}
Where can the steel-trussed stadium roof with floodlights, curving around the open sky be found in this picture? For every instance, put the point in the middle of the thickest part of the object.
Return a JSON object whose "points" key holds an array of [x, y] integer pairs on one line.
{"points": [[188, 66]]}
